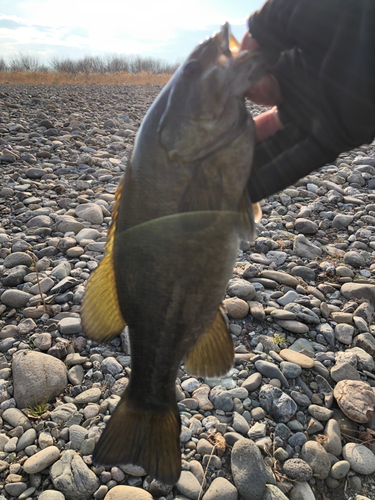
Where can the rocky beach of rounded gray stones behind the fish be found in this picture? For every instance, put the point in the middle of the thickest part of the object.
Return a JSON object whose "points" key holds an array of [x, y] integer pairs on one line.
{"points": [[295, 417]]}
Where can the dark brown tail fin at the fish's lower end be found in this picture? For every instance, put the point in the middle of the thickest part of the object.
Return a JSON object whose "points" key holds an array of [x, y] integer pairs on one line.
{"points": [[150, 439]]}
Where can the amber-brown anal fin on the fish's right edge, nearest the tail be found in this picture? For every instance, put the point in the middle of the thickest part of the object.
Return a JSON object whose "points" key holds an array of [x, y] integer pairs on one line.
{"points": [[213, 354]]}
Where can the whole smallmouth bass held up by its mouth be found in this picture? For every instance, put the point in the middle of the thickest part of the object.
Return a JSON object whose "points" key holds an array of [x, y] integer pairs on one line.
{"points": [[180, 211]]}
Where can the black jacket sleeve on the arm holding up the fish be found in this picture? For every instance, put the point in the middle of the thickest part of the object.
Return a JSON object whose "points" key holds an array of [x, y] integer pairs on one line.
{"points": [[323, 55]]}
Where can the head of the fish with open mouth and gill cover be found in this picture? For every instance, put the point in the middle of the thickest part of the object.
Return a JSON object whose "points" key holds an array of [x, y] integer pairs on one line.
{"points": [[206, 106]]}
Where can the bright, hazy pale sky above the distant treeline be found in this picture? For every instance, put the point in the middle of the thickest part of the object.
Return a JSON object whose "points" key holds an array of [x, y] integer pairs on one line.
{"points": [[165, 29]]}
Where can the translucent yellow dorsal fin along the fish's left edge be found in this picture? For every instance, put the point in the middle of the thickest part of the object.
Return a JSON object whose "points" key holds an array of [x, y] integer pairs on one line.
{"points": [[100, 312]]}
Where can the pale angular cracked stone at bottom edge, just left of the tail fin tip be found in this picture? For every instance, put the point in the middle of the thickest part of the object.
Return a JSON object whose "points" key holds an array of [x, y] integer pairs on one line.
{"points": [[73, 478]]}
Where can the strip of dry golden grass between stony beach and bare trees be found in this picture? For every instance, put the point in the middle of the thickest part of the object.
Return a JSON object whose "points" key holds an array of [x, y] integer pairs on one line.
{"points": [[56, 78]]}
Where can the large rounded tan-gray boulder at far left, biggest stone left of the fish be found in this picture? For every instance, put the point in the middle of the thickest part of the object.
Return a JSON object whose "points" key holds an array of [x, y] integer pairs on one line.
{"points": [[37, 376]]}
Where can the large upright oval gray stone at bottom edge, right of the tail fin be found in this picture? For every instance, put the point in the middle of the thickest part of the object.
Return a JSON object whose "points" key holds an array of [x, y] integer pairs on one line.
{"points": [[248, 470]]}
